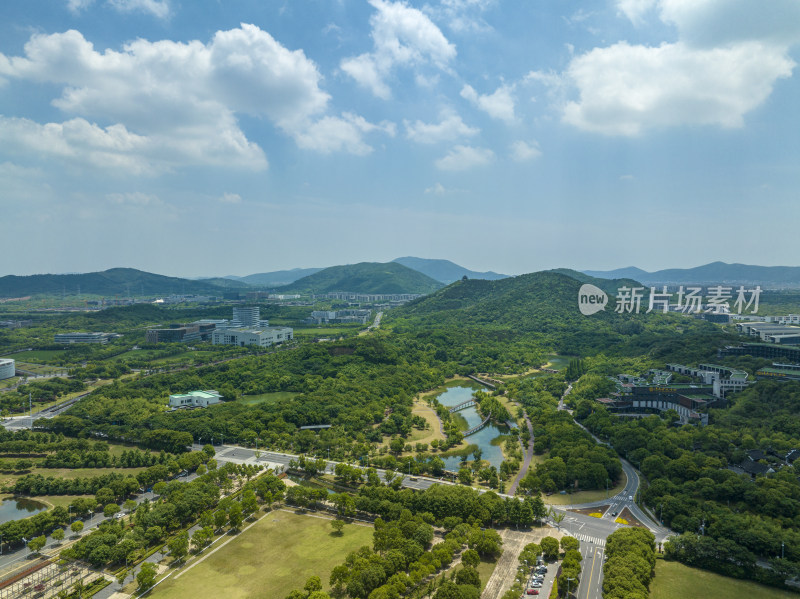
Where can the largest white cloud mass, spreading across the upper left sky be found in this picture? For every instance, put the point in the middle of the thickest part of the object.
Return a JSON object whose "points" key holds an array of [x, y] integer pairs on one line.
{"points": [[175, 103]]}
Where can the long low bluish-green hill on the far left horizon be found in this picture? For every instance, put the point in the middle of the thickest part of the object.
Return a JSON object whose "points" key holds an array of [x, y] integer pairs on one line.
{"points": [[115, 281]]}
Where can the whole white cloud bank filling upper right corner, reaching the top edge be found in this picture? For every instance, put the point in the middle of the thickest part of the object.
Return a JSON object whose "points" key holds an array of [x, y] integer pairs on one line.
{"points": [[726, 61]]}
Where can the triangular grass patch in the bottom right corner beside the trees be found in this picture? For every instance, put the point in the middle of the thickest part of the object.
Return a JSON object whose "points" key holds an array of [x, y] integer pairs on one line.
{"points": [[676, 581]]}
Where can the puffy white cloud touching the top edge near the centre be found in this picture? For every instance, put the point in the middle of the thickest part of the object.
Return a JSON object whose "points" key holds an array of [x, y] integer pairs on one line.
{"points": [[402, 36]]}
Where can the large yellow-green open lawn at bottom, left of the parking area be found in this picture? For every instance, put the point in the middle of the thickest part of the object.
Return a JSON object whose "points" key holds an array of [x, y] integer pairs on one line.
{"points": [[275, 556]]}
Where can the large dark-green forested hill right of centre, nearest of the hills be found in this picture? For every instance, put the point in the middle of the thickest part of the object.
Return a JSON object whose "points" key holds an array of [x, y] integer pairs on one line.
{"points": [[542, 308]]}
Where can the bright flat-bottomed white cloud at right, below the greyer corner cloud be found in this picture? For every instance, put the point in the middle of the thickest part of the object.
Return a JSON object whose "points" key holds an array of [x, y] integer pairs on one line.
{"points": [[625, 89]]}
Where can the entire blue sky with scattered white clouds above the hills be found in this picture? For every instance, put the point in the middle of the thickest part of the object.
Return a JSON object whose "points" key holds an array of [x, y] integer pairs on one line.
{"points": [[211, 138]]}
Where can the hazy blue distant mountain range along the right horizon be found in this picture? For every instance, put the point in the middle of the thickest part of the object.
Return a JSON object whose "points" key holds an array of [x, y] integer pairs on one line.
{"points": [[711, 274]]}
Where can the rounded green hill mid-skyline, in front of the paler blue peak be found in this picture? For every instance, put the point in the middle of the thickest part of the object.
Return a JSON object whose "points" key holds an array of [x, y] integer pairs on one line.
{"points": [[365, 277]]}
